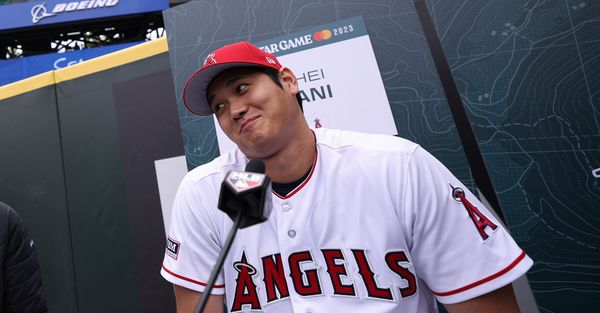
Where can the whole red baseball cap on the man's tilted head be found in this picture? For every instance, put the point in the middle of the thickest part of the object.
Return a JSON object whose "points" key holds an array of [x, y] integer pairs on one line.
{"points": [[238, 54]]}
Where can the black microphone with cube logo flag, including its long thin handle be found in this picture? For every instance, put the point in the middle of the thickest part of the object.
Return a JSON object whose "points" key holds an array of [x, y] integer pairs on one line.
{"points": [[246, 198]]}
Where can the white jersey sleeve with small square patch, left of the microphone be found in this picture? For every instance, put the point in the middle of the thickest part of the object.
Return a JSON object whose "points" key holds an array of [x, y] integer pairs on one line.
{"points": [[194, 238]]}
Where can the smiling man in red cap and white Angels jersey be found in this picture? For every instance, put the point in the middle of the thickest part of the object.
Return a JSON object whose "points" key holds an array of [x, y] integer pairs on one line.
{"points": [[360, 222]]}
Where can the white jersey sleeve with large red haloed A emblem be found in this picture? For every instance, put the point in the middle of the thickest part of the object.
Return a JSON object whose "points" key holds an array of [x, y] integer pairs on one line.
{"points": [[458, 247]]}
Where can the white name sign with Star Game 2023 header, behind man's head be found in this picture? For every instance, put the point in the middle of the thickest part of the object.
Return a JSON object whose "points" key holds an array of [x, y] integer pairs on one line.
{"points": [[340, 83]]}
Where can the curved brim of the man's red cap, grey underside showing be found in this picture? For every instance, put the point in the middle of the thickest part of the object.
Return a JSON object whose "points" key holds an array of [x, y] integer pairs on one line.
{"points": [[194, 92]]}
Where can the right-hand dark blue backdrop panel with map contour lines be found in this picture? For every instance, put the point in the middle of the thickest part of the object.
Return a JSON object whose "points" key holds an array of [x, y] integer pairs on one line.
{"points": [[528, 72]]}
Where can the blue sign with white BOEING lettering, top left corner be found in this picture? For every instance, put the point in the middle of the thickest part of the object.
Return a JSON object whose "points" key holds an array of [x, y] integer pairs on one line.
{"points": [[34, 13]]}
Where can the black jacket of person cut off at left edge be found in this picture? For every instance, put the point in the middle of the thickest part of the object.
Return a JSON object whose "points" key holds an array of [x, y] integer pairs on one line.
{"points": [[21, 289]]}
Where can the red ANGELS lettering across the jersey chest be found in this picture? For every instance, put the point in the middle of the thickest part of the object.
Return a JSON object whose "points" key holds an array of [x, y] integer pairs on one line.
{"points": [[307, 280]]}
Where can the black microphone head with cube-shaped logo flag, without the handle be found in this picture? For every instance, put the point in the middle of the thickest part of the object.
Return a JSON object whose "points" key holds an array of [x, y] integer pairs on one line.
{"points": [[248, 193]]}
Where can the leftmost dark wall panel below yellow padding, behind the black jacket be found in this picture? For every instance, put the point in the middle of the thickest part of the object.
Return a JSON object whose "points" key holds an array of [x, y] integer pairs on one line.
{"points": [[32, 181]]}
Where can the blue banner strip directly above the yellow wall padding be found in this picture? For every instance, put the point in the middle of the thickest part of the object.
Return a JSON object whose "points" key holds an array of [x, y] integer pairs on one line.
{"points": [[21, 68]]}
